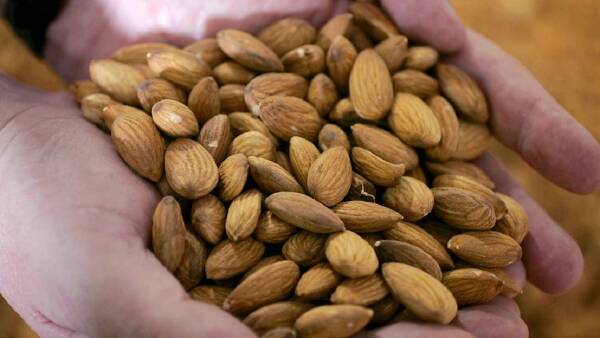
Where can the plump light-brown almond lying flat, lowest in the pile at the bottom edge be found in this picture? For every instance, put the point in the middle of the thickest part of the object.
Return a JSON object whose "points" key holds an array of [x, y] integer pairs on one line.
{"points": [[333, 321]]}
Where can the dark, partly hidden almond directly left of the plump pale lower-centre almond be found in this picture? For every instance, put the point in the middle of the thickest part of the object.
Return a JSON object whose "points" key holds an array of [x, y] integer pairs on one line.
{"points": [[305, 248]]}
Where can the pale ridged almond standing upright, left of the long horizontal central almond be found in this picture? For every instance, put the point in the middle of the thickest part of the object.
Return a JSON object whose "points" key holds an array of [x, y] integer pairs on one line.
{"points": [[243, 214]]}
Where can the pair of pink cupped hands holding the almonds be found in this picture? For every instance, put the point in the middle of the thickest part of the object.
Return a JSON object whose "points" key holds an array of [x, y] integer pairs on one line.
{"points": [[75, 221]]}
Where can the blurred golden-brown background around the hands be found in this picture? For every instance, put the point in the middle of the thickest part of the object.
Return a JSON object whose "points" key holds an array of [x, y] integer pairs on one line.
{"points": [[558, 40]]}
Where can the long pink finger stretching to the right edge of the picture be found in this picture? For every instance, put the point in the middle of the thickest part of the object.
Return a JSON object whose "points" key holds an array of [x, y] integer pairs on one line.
{"points": [[527, 119]]}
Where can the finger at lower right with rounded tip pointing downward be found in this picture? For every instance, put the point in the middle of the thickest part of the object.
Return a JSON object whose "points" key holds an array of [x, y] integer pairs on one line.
{"points": [[552, 258]]}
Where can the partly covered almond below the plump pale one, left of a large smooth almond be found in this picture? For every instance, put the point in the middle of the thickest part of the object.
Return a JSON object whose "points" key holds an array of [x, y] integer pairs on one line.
{"points": [[361, 291]]}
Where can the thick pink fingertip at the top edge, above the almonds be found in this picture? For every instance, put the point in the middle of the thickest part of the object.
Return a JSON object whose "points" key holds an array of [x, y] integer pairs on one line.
{"points": [[433, 22]]}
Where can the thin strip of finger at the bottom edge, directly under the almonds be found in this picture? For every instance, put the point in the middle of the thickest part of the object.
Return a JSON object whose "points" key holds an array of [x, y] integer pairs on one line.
{"points": [[416, 330]]}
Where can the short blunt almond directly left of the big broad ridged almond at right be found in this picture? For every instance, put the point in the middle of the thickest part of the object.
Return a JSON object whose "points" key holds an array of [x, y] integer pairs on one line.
{"points": [[410, 197]]}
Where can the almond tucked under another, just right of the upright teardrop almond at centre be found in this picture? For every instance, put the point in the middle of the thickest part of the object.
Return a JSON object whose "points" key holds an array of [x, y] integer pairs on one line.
{"points": [[376, 169]]}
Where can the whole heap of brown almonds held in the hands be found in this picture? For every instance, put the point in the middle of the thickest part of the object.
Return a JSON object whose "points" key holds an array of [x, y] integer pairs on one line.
{"points": [[315, 182]]}
